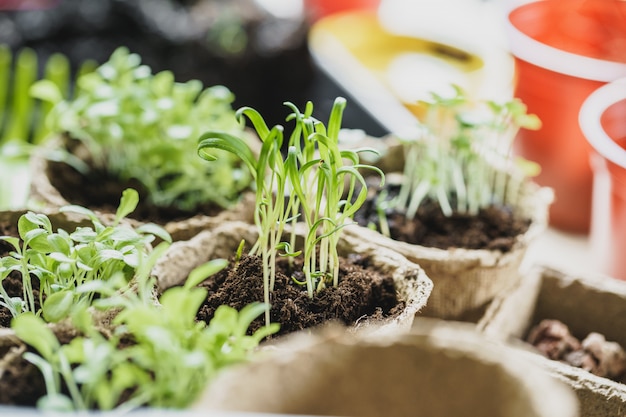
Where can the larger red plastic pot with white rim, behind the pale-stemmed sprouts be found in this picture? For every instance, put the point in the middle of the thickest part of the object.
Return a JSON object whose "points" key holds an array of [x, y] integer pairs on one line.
{"points": [[564, 50]]}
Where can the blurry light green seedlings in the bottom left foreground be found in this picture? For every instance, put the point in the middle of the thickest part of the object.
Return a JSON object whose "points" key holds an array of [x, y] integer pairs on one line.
{"points": [[157, 356]]}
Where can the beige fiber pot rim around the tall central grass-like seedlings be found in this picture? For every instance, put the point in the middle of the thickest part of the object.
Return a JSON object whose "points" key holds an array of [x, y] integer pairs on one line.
{"points": [[412, 284]]}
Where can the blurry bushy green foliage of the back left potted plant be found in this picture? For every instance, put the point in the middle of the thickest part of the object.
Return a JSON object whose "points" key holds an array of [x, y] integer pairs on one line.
{"points": [[143, 126]]}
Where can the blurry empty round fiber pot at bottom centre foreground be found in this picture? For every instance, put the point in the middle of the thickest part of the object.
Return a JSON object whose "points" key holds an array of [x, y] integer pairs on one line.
{"points": [[440, 369]]}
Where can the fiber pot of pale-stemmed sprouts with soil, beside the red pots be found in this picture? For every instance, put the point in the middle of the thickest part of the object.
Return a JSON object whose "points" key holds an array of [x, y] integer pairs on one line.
{"points": [[462, 208]]}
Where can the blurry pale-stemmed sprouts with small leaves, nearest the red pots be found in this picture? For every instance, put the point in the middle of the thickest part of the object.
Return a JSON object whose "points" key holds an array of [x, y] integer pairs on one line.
{"points": [[462, 157]]}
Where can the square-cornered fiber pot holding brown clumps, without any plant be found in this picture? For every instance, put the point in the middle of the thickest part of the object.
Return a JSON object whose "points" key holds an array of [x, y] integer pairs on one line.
{"points": [[572, 325]]}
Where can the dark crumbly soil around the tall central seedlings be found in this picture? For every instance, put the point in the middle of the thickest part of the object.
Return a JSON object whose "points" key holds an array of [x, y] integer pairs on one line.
{"points": [[362, 293]]}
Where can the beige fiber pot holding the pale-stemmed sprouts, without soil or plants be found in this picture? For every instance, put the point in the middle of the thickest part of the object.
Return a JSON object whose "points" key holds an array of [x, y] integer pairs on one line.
{"points": [[466, 280]]}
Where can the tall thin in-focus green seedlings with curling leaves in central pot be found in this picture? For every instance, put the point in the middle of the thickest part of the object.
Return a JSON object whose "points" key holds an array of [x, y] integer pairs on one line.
{"points": [[308, 184]]}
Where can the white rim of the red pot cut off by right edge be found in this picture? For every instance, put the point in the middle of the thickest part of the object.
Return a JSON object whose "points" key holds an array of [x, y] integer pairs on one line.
{"points": [[589, 120]]}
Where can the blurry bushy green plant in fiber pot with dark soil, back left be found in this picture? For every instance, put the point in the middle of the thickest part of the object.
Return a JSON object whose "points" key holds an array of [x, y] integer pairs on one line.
{"points": [[127, 127]]}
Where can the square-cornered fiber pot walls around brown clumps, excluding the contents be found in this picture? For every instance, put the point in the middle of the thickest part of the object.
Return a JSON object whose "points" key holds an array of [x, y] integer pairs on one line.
{"points": [[590, 303]]}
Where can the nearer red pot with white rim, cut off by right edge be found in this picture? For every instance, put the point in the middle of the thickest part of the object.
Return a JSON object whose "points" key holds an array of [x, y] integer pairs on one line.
{"points": [[603, 122]]}
